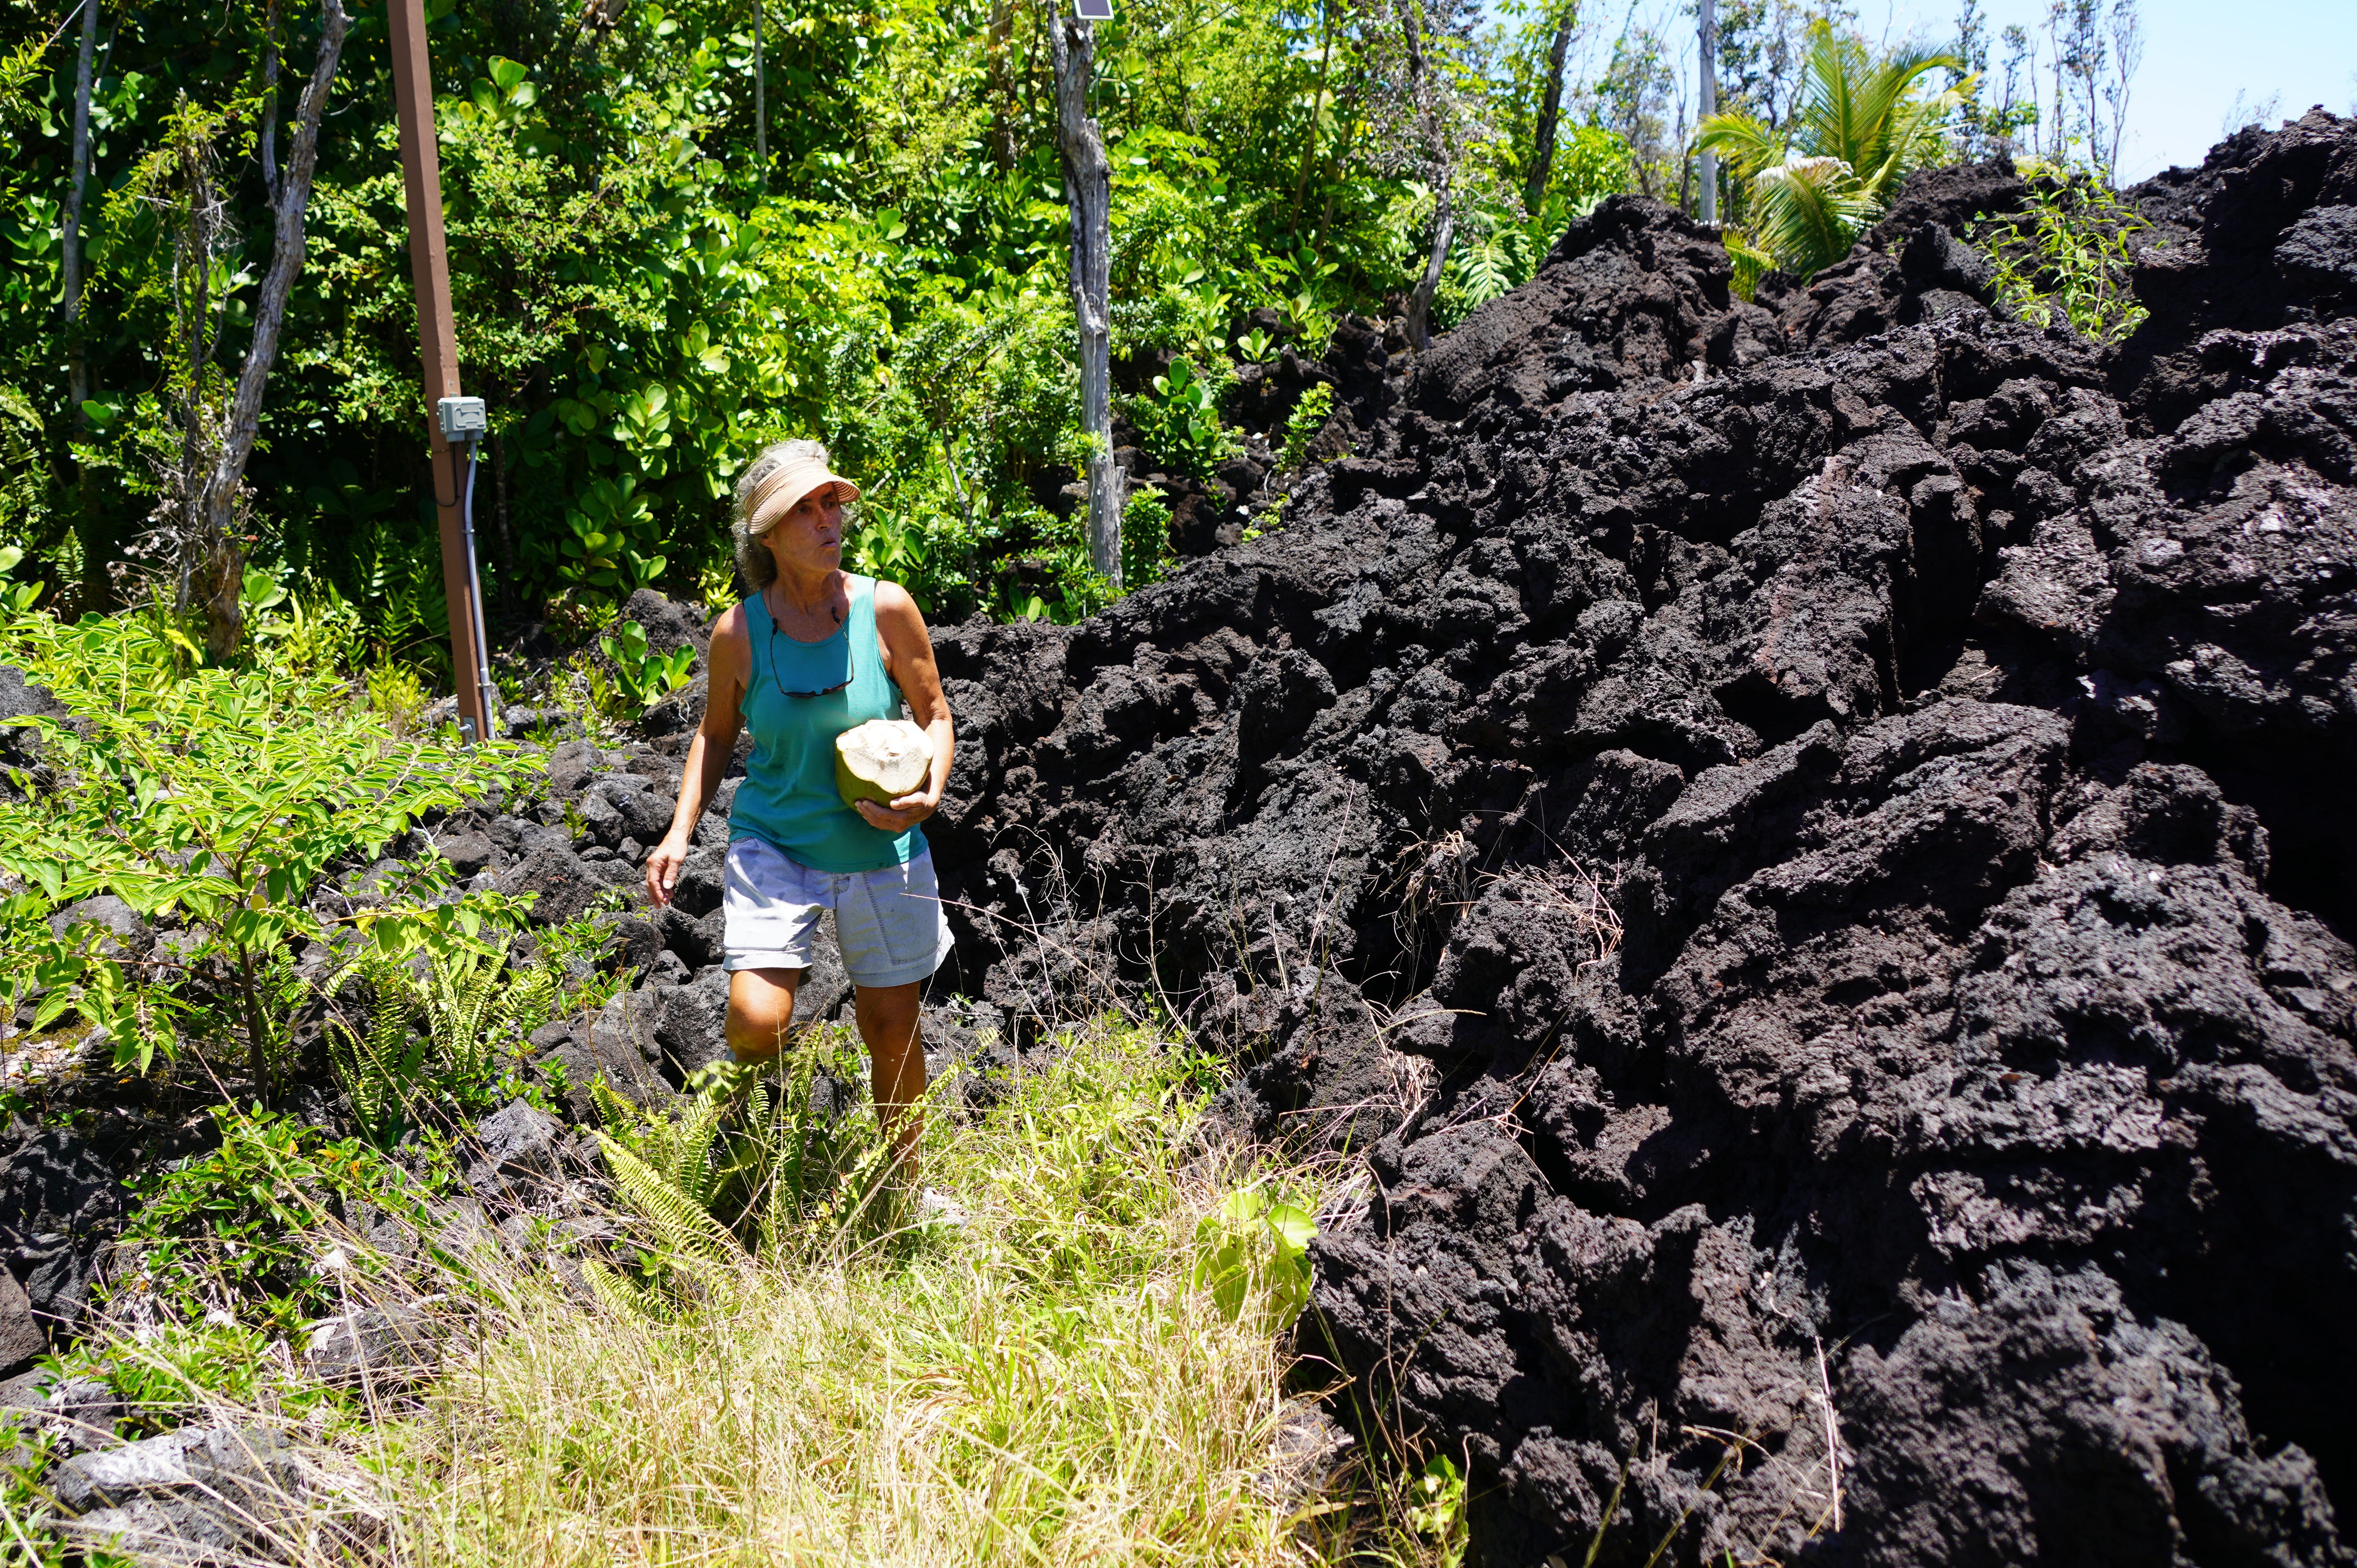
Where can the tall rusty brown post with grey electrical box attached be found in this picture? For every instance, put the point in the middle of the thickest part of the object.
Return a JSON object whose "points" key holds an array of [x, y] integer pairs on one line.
{"points": [[437, 338]]}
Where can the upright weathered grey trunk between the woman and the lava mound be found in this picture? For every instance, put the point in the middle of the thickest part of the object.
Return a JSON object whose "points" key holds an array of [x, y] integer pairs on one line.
{"points": [[1088, 192]]}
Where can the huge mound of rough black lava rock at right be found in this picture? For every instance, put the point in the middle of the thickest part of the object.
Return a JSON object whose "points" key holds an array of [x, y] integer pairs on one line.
{"points": [[1809, 843]]}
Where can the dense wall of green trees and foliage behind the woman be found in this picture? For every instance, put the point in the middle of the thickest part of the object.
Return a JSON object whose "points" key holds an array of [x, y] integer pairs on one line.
{"points": [[645, 301]]}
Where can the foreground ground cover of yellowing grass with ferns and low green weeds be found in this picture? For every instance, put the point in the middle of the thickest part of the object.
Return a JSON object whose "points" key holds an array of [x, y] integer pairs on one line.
{"points": [[1078, 1373]]}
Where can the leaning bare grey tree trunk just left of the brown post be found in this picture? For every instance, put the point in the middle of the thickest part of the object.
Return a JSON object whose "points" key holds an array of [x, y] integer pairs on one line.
{"points": [[216, 569]]}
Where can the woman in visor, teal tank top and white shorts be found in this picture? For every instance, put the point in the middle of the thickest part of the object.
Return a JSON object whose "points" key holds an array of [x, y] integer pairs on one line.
{"points": [[807, 657]]}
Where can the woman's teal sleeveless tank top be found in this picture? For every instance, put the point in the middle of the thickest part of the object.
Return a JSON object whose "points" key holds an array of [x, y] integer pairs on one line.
{"points": [[788, 796]]}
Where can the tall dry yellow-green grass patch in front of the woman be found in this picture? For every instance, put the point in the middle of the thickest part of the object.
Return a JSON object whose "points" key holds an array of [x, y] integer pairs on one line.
{"points": [[1048, 1385]]}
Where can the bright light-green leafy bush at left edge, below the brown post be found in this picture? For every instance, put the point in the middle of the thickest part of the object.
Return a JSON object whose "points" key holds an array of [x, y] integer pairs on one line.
{"points": [[213, 798]]}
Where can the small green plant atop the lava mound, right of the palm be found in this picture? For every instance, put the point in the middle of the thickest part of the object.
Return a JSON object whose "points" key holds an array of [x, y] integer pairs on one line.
{"points": [[2068, 261]]}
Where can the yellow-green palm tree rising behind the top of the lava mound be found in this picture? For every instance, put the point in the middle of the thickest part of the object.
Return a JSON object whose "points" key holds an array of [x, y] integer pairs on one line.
{"points": [[1818, 180]]}
